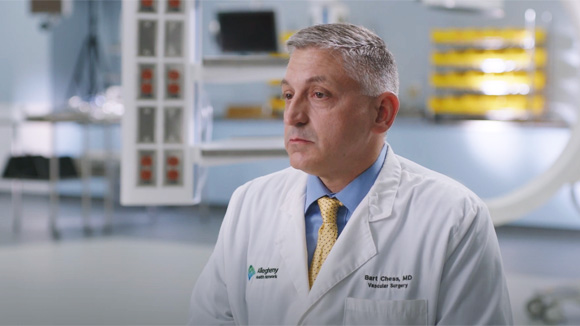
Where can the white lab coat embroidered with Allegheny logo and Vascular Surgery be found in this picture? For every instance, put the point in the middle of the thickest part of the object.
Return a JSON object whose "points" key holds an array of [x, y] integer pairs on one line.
{"points": [[419, 250]]}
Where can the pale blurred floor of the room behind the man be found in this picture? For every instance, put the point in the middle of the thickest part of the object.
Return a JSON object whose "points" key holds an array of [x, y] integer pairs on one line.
{"points": [[142, 272]]}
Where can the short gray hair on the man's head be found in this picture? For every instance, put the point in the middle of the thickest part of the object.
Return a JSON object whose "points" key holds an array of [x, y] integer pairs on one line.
{"points": [[365, 55]]}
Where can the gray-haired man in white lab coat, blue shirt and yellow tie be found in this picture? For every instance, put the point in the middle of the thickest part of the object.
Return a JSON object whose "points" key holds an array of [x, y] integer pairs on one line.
{"points": [[351, 234]]}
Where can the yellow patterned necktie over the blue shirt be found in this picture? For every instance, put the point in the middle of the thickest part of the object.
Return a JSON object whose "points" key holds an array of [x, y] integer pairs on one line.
{"points": [[327, 235]]}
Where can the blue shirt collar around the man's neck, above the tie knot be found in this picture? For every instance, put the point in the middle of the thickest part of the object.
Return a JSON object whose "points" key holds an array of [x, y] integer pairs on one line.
{"points": [[353, 193]]}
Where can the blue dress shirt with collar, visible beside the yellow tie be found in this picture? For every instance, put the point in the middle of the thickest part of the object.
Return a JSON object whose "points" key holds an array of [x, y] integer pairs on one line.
{"points": [[350, 197]]}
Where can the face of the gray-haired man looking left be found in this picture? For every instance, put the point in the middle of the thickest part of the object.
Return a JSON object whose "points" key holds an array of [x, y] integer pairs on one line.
{"points": [[327, 121]]}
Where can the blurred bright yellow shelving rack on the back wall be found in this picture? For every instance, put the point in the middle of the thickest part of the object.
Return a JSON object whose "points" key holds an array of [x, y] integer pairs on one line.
{"points": [[488, 73]]}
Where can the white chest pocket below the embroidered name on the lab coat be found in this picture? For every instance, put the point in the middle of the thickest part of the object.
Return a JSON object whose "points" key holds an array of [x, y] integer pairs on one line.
{"points": [[383, 312]]}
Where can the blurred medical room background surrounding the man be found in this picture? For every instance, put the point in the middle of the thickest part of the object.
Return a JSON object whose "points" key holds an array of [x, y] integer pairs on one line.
{"points": [[125, 126]]}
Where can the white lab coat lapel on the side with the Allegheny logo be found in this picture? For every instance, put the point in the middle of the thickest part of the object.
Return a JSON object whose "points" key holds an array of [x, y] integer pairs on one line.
{"points": [[291, 237]]}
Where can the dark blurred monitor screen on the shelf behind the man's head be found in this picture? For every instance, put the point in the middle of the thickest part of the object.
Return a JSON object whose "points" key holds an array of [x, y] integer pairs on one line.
{"points": [[247, 31]]}
